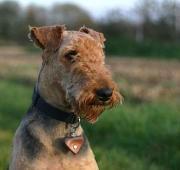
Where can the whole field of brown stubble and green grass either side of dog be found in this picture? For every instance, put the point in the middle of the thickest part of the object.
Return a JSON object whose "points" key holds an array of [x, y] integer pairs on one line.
{"points": [[142, 134]]}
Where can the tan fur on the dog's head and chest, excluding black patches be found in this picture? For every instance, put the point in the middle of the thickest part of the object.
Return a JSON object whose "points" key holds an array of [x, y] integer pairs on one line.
{"points": [[71, 86]]}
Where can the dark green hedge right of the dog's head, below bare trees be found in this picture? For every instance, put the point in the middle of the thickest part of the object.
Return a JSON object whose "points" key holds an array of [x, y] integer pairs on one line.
{"points": [[120, 46]]}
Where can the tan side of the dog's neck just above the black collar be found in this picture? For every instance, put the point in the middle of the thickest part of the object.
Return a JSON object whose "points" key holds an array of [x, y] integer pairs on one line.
{"points": [[51, 90]]}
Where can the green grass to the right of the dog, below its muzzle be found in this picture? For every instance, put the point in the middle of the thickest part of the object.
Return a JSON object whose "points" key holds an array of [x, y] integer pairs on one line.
{"points": [[138, 137]]}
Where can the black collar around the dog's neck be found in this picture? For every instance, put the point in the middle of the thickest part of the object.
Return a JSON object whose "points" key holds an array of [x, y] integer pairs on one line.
{"points": [[46, 109]]}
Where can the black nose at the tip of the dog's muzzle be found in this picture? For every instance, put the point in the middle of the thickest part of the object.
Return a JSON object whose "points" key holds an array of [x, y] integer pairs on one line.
{"points": [[104, 94]]}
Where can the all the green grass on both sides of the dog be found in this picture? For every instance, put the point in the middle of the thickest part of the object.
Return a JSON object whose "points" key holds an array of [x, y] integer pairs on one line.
{"points": [[143, 136]]}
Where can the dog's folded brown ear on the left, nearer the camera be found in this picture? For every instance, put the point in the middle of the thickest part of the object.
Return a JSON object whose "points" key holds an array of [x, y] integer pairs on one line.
{"points": [[47, 37]]}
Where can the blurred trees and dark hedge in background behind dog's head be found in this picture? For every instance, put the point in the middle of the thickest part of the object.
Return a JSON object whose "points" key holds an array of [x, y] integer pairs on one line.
{"points": [[151, 29]]}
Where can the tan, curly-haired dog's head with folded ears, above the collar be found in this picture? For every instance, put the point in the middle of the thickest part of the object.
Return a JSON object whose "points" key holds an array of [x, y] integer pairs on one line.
{"points": [[74, 71]]}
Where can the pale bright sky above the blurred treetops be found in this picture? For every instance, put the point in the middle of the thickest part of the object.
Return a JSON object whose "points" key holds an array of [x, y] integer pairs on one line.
{"points": [[95, 7]]}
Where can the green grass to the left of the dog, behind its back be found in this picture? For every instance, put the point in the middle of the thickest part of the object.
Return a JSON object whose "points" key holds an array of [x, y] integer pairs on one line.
{"points": [[14, 100]]}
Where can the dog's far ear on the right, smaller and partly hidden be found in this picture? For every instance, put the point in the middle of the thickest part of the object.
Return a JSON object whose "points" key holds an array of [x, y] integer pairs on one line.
{"points": [[96, 35]]}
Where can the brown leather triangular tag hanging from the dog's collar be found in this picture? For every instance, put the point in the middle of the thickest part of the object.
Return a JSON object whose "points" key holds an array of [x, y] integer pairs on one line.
{"points": [[74, 143]]}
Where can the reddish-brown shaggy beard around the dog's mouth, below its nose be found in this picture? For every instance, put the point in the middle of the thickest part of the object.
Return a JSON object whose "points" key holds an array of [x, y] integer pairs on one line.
{"points": [[90, 108]]}
